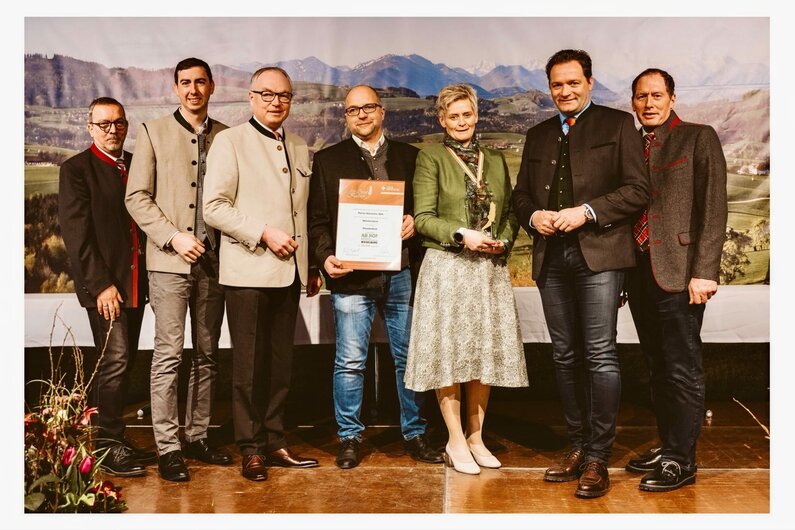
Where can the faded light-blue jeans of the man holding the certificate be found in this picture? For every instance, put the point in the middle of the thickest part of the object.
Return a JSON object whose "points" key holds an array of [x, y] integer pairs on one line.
{"points": [[353, 318]]}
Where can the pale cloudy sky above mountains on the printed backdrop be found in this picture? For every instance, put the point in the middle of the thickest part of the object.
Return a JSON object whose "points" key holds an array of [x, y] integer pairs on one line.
{"points": [[158, 42]]}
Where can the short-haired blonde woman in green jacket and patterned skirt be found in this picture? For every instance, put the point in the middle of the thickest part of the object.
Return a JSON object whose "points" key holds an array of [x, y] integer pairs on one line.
{"points": [[465, 325]]}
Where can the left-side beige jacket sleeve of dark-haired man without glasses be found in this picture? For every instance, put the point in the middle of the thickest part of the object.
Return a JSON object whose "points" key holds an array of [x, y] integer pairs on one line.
{"points": [[140, 194]]}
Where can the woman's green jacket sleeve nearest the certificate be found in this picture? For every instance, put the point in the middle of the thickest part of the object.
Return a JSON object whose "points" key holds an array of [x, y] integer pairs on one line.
{"points": [[427, 177]]}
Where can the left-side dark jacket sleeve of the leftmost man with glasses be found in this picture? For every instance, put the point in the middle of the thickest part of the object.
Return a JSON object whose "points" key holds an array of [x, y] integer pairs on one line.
{"points": [[77, 229]]}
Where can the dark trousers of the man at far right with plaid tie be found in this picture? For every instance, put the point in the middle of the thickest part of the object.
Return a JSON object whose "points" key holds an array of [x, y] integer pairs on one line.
{"points": [[669, 329]]}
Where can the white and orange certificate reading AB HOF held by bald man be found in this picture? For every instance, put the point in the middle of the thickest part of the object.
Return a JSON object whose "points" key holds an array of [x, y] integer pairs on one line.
{"points": [[368, 224]]}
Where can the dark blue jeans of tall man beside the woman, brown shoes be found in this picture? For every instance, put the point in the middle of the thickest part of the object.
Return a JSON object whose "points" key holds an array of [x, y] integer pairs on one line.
{"points": [[581, 311]]}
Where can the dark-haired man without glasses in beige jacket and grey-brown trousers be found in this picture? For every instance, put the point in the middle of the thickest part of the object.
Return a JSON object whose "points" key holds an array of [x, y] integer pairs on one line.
{"points": [[164, 193]]}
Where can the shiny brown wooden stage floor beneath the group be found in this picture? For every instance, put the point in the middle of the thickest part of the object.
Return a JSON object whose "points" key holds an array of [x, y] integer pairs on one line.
{"points": [[733, 476]]}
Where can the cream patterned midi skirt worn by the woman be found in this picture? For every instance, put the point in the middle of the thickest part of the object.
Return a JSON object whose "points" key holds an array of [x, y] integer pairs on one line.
{"points": [[464, 325]]}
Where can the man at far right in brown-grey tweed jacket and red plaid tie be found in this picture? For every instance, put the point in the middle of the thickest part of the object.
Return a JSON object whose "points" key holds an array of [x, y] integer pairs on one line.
{"points": [[679, 242]]}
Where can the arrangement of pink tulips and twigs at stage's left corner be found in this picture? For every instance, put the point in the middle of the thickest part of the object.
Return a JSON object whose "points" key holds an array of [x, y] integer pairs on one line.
{"points": [[62, 472]]}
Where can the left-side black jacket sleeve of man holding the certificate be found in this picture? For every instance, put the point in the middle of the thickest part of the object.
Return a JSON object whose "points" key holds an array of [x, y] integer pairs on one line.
{"points": [[321, 240]]}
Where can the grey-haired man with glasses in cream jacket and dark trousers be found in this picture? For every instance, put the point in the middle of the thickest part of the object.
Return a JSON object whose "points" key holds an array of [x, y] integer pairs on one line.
{"points": [[256, 192]]}
